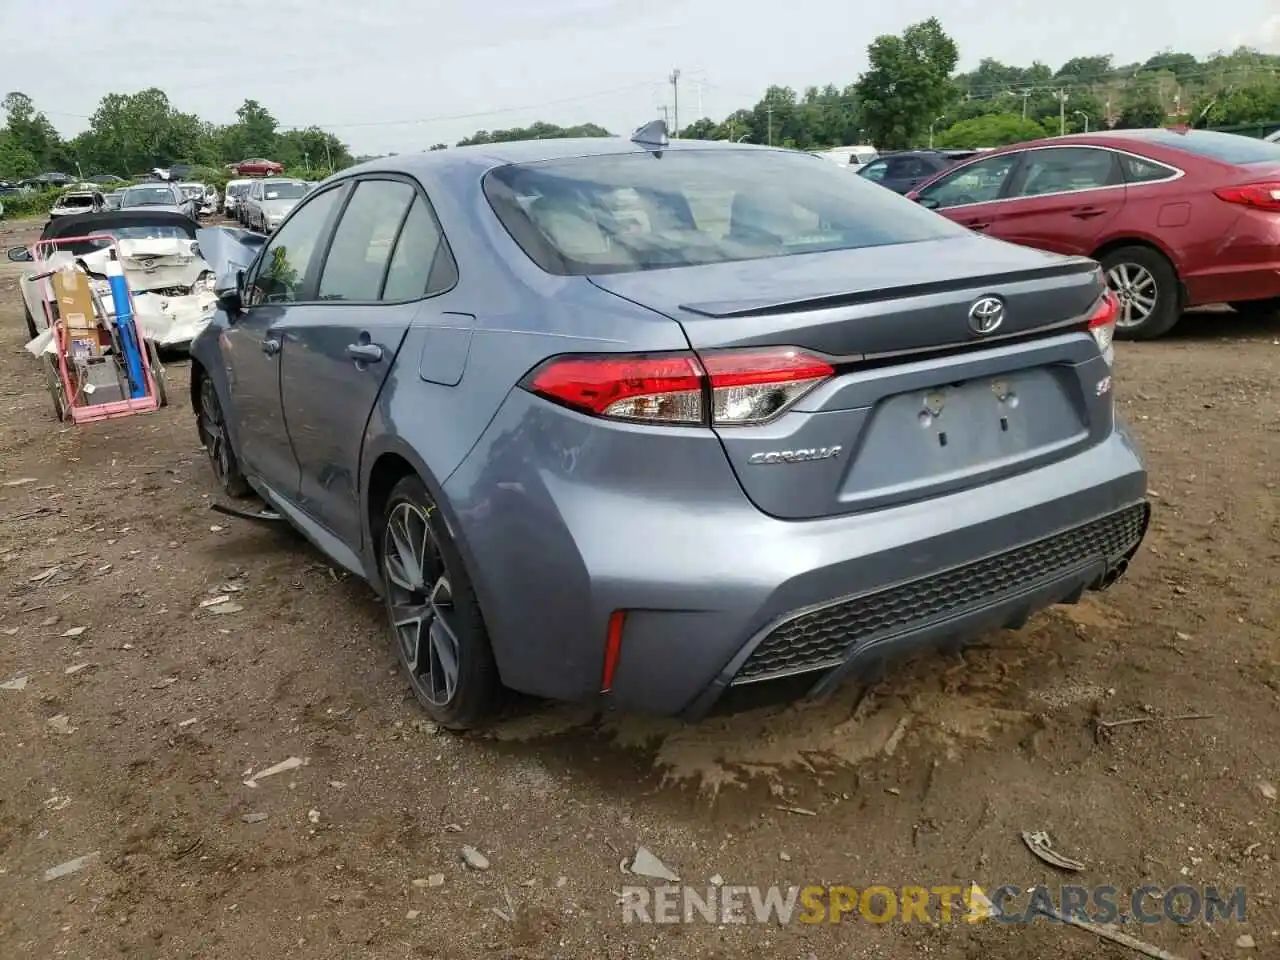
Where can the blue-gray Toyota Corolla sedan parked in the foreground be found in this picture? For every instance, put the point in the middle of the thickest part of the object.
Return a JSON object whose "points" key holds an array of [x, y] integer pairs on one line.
{"points": [[639, 422]]}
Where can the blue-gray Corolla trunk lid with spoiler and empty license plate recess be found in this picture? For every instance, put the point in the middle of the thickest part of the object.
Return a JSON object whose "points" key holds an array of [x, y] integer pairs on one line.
{"points": [[921, 404]]}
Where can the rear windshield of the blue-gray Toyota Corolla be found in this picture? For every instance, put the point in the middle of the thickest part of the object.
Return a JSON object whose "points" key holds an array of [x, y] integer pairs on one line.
{"points": [[624, 213]]}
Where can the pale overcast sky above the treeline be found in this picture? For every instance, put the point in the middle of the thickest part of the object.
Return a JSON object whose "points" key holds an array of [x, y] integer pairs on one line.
{"points": [[403, 75]]}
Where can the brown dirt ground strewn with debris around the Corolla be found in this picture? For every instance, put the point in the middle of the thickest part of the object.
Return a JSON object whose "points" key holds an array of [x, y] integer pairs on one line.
{"points": [[144, 715]]}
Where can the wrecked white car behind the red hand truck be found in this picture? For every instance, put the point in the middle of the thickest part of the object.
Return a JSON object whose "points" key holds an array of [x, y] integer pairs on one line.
{"points": [[170, 264]]}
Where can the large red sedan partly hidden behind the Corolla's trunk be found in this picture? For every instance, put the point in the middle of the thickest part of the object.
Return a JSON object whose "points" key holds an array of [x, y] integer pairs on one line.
{"points": [[1178, 218]]}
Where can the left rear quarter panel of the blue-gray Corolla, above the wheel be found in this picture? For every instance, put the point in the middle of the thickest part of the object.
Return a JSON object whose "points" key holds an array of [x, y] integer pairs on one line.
{"points": [[502, 319]]}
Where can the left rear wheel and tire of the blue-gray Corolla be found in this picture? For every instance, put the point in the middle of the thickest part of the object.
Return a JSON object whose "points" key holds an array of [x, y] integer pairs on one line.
{"points": [[435, 616]]}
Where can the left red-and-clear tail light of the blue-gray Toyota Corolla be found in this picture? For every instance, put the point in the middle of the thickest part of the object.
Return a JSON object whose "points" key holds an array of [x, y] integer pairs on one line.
{"points": [[724, 388]]}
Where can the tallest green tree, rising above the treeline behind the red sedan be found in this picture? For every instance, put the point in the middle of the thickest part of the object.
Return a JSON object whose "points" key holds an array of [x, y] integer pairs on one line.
{"points": [[908, 84]]}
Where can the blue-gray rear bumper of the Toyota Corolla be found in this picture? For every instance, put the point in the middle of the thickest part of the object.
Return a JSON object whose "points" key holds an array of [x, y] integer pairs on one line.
{"points": [[561, 533]]}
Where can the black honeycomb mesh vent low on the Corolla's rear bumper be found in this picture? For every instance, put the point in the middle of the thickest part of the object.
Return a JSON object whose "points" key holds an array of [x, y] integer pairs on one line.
{"points": [[822, 638]]}
